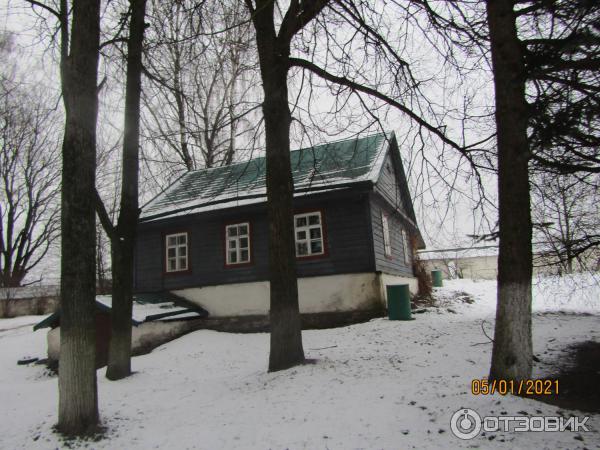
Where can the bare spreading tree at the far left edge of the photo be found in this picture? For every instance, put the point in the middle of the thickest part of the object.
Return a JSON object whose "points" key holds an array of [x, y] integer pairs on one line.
{"points": [[29, 169]]}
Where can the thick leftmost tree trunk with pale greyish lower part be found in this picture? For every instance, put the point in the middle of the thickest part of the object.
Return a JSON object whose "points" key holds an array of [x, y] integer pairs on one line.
{"points": [[78, 395]]}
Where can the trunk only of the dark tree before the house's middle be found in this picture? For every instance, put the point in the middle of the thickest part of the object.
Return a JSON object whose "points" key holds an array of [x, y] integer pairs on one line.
{"points": [[286, 332]]}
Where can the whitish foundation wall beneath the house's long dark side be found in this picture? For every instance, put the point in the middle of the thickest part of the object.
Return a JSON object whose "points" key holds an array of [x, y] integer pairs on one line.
{"points": [[334, 293]]}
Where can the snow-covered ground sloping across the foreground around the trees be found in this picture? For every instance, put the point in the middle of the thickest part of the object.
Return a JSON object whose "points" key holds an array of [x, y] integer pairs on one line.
{"points": [[376, 385]]}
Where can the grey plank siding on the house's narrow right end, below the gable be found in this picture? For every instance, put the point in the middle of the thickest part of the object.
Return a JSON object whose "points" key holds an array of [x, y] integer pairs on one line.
{"points": [[394, 264]]}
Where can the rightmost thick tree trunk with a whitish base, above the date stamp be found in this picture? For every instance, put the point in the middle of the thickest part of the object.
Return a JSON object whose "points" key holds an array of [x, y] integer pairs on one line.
{"points": [[512, 350]]}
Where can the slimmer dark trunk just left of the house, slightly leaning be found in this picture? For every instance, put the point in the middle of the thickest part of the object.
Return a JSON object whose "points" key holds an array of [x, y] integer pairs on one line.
{"points": [[123, 240]]}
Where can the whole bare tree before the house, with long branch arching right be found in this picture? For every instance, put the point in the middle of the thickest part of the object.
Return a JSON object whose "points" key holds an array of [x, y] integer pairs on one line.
{"points": [[276, 30]]}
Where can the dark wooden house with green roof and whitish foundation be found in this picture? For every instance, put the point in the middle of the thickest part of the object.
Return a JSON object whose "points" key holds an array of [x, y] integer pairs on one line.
{"points": [[205, 238]]}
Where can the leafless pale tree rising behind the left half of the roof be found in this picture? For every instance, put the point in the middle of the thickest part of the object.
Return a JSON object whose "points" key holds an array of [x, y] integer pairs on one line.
{"points": [[201, 82]]}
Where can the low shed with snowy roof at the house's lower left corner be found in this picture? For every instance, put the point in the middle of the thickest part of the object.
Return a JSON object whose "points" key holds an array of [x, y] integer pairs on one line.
{"points": [[157, 318]]}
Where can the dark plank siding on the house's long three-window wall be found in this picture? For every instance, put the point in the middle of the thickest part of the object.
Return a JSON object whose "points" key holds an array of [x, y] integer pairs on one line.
{"points": [[347, 227]]}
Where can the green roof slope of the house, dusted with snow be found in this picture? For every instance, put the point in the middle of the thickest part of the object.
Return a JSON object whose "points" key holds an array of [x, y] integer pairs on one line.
{"points": [[323, 167]]}
